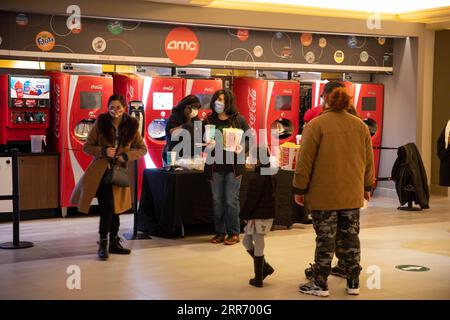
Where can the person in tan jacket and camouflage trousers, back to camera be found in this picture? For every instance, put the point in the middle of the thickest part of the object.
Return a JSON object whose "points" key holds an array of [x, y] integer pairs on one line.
{"points": [[334, 172]]}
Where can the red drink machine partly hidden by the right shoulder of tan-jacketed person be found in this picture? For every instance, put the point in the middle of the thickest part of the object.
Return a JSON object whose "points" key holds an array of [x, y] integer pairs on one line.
{"points": [[369, 101]]}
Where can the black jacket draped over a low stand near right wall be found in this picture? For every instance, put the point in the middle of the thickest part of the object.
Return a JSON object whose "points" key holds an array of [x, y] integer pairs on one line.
{"points": [[410, 176]]}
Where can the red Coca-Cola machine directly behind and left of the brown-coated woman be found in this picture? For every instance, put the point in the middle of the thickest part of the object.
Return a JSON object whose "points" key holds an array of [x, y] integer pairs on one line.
{"points": [[77, 100]]}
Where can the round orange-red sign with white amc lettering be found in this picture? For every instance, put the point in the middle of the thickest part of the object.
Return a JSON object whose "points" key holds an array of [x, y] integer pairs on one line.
{"points": [[181, 46]]}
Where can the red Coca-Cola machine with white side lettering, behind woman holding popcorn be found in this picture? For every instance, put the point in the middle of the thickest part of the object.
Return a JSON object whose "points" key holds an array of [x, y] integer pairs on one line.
{"points": [[270, 105]]}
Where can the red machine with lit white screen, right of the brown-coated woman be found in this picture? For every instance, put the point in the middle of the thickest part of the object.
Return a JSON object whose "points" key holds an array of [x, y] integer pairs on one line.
{"points": [[159, 95]]}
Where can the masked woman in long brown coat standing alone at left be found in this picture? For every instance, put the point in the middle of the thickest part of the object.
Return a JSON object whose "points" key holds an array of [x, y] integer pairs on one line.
{"points": [[114, 135]]}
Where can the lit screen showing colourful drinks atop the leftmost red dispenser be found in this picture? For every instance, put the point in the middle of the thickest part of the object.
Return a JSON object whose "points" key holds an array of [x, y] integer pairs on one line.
{"points": [[29, 87]]}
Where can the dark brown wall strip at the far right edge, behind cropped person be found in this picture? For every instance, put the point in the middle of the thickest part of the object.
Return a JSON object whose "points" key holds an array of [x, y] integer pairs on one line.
{"points": [[441, 95]]}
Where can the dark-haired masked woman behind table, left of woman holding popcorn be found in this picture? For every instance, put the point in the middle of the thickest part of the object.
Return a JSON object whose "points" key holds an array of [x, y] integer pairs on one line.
{"points": [[182, 116]]}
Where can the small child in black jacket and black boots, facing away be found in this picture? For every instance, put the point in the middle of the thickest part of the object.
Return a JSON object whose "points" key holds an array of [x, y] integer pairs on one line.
{"points": [[259, 211]]}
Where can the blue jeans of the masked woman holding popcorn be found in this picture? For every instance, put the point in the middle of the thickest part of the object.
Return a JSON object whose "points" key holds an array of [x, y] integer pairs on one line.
{"points": [[225, 190]]}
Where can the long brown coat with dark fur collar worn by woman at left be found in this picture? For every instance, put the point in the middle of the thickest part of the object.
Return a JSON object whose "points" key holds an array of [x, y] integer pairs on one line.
{"points": [[100, 137]]}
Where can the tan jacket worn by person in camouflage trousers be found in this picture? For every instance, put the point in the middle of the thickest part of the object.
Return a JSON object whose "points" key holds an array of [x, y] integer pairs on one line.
{"points": [[335, 164]]}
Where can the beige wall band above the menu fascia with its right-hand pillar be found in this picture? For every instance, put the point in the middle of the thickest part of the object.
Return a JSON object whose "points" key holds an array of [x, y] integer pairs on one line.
{"points": [[144, 10]]}
